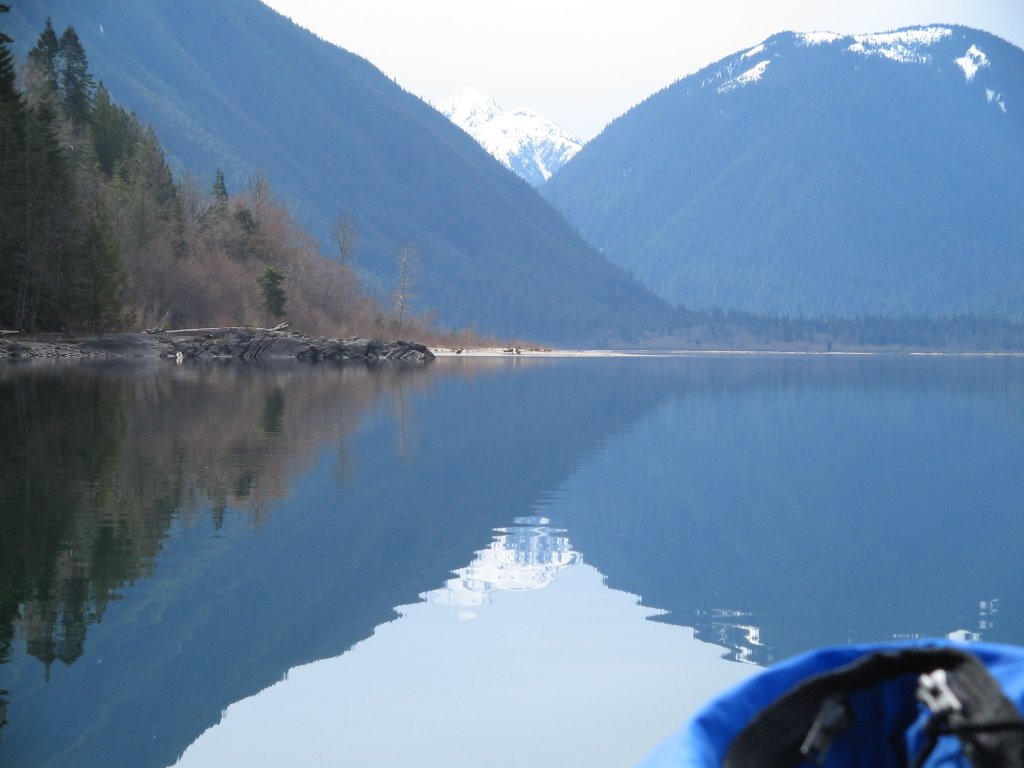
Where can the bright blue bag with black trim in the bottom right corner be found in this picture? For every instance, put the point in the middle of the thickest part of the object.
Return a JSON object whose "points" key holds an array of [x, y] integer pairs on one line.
{"points": [[929, 703]]}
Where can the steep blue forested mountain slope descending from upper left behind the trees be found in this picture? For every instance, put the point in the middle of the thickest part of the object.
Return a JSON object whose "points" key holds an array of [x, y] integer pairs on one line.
{"points": [[236, 87]]}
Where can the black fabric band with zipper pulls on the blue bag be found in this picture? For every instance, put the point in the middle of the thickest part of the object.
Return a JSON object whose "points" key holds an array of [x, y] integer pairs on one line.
{"points": [[808, 716]]}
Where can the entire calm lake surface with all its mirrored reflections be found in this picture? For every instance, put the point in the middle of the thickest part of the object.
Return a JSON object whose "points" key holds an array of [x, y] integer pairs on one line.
{"points": [[498, 563]]}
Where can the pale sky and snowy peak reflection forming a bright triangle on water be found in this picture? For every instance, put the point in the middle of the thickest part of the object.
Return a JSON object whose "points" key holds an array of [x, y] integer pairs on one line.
{"points": [[558, 670]]}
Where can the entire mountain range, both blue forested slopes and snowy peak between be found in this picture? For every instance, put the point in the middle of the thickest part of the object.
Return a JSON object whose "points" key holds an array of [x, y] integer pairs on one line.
{"points": [[812, 176]]}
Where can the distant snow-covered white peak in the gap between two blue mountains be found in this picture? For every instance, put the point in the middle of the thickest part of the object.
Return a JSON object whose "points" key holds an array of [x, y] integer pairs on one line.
{"points": [[524, 142]]}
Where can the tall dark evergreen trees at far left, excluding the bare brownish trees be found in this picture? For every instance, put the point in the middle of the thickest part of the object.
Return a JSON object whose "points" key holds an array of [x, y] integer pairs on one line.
{"points": [[68, 157]]}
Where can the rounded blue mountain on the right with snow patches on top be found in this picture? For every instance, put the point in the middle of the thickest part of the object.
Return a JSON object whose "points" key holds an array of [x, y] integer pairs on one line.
{"points": [[820, 175]]}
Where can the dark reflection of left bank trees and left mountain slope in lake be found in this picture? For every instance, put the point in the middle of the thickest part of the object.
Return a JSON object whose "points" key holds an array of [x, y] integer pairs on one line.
{"points": [[260, 519]]}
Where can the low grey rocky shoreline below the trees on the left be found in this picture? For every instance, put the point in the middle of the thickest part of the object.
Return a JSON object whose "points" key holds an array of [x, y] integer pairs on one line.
{"points": [[217, 344]]}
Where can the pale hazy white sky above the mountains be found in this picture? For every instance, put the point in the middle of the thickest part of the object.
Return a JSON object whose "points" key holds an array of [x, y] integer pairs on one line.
{"points": [[583, 64]]}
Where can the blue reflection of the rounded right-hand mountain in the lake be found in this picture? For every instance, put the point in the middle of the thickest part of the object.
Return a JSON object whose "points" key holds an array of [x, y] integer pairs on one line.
{"points": [[814, 506]]}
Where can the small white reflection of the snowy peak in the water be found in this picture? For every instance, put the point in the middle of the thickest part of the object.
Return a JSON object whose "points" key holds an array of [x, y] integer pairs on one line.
{"points": [[527, 557]]}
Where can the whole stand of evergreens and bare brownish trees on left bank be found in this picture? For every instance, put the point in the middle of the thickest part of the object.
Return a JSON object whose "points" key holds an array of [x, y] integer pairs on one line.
{"points": [[99, 236]]}
